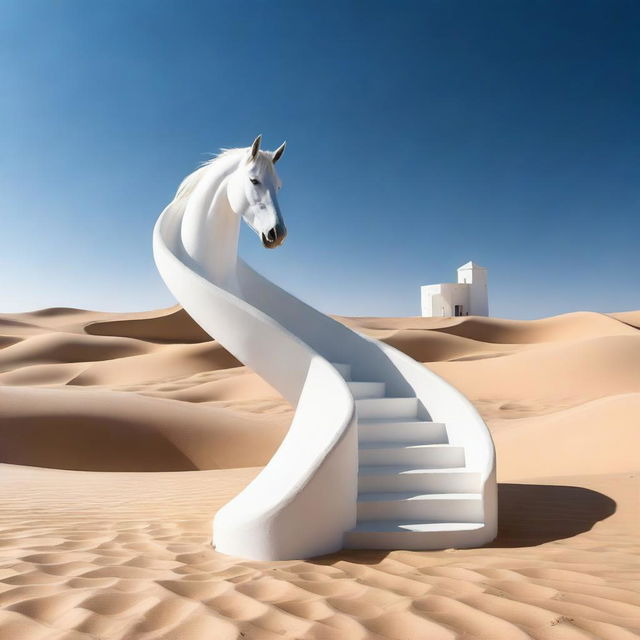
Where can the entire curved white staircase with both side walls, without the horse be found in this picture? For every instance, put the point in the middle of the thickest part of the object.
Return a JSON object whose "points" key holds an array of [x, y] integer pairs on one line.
{"points": [[381, 453]]}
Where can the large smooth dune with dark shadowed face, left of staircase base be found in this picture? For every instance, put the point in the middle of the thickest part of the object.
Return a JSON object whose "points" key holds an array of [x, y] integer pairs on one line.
{"points": [[114, 431]]}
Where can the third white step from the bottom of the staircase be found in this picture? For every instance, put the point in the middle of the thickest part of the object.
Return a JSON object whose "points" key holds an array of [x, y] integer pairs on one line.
{"points": [[408, 478]]}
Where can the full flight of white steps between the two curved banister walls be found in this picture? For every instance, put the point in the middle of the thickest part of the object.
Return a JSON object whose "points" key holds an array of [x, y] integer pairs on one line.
{"points": [[414, 489]]}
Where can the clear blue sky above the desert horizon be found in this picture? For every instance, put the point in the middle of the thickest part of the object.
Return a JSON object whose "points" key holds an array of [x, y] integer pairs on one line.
{"points": [[421, 135]]}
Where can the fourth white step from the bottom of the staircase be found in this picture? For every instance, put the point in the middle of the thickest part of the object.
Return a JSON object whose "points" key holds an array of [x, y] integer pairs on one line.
{"points": [[408, 453]]}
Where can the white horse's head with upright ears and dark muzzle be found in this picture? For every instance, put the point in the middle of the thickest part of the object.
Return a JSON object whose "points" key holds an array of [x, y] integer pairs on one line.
{"points": [[252, 192]]}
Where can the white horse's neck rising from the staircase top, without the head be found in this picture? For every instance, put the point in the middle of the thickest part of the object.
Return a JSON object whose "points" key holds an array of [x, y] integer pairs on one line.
{"points": [[210, 228]]}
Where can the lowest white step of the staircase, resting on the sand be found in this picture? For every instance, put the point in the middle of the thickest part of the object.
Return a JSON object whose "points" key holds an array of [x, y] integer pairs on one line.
{"points": [[404, 534]]}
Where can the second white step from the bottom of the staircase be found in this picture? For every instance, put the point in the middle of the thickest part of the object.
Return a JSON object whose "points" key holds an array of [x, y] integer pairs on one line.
{"points": [[429, 507]]}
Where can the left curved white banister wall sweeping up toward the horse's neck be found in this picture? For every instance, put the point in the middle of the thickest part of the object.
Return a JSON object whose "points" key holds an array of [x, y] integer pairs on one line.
{"points": [[270, 519]]}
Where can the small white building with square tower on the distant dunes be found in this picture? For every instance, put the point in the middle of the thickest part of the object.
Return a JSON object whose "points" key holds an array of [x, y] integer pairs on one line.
{"points": [[467, 297]]}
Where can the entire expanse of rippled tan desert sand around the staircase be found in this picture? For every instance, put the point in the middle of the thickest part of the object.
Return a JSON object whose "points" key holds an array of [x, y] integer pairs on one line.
{"points": [[121, 434]]}
